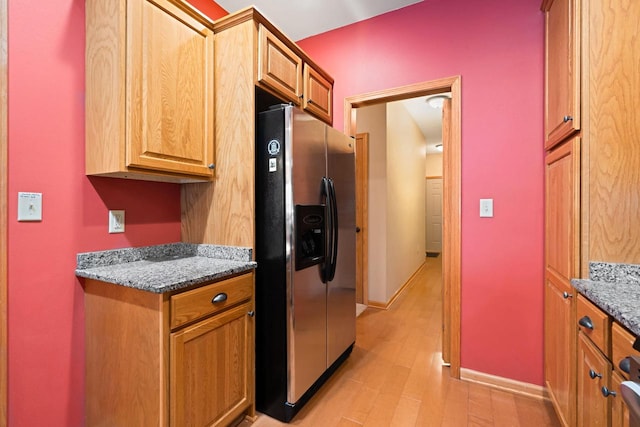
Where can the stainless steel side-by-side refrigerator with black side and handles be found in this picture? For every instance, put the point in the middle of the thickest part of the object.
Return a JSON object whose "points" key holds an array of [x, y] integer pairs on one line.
{"points": [[305, 249]]}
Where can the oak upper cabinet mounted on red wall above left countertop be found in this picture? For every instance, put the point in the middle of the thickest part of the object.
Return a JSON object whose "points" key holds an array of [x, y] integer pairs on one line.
{"points": [[149, 91]]}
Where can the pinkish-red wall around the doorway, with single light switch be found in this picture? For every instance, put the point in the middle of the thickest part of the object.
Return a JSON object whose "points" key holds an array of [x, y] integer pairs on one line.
{"points": [[497, 48]]}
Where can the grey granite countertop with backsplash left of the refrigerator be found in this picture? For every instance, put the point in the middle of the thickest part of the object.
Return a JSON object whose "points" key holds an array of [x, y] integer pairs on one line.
{"points": [[164, 268]]}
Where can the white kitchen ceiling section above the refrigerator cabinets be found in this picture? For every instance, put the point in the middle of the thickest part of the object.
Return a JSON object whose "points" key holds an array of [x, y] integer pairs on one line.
{"points": [[299, 19]]}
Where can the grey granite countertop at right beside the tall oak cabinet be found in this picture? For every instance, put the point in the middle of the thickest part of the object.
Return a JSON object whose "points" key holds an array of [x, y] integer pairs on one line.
{"points": [[615, 288]]}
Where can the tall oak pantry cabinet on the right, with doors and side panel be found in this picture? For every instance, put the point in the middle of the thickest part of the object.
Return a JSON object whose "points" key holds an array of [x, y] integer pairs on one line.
{"points": [[592, 115]]}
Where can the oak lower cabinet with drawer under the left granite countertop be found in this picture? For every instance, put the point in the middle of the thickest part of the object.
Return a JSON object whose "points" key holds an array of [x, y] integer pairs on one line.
{"points": [[141, 371]]}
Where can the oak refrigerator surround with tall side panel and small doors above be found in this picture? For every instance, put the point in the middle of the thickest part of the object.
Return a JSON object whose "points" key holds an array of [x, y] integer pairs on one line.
{"points": [[251, 53]]}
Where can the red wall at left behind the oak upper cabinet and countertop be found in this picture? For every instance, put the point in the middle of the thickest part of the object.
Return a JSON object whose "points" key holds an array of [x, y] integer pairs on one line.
{"points": [[46, 154]]}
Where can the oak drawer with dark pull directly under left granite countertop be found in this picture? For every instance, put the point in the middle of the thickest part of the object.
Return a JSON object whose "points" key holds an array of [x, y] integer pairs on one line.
{"points": [[195, 304]]}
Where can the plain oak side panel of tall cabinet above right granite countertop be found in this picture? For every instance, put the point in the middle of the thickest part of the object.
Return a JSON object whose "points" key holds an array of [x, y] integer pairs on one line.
{"points": [[611, 132]]}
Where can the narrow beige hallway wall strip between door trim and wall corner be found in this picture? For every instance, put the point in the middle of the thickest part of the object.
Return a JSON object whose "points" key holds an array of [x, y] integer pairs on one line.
{"points": [[373, 120]]}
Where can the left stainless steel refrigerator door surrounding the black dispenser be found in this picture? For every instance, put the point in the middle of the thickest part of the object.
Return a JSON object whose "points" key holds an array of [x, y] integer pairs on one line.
{"points": [[307, 309]]}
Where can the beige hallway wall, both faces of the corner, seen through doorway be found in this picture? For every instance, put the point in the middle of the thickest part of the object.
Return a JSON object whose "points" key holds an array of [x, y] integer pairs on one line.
{"points": [[396, 197]]}
